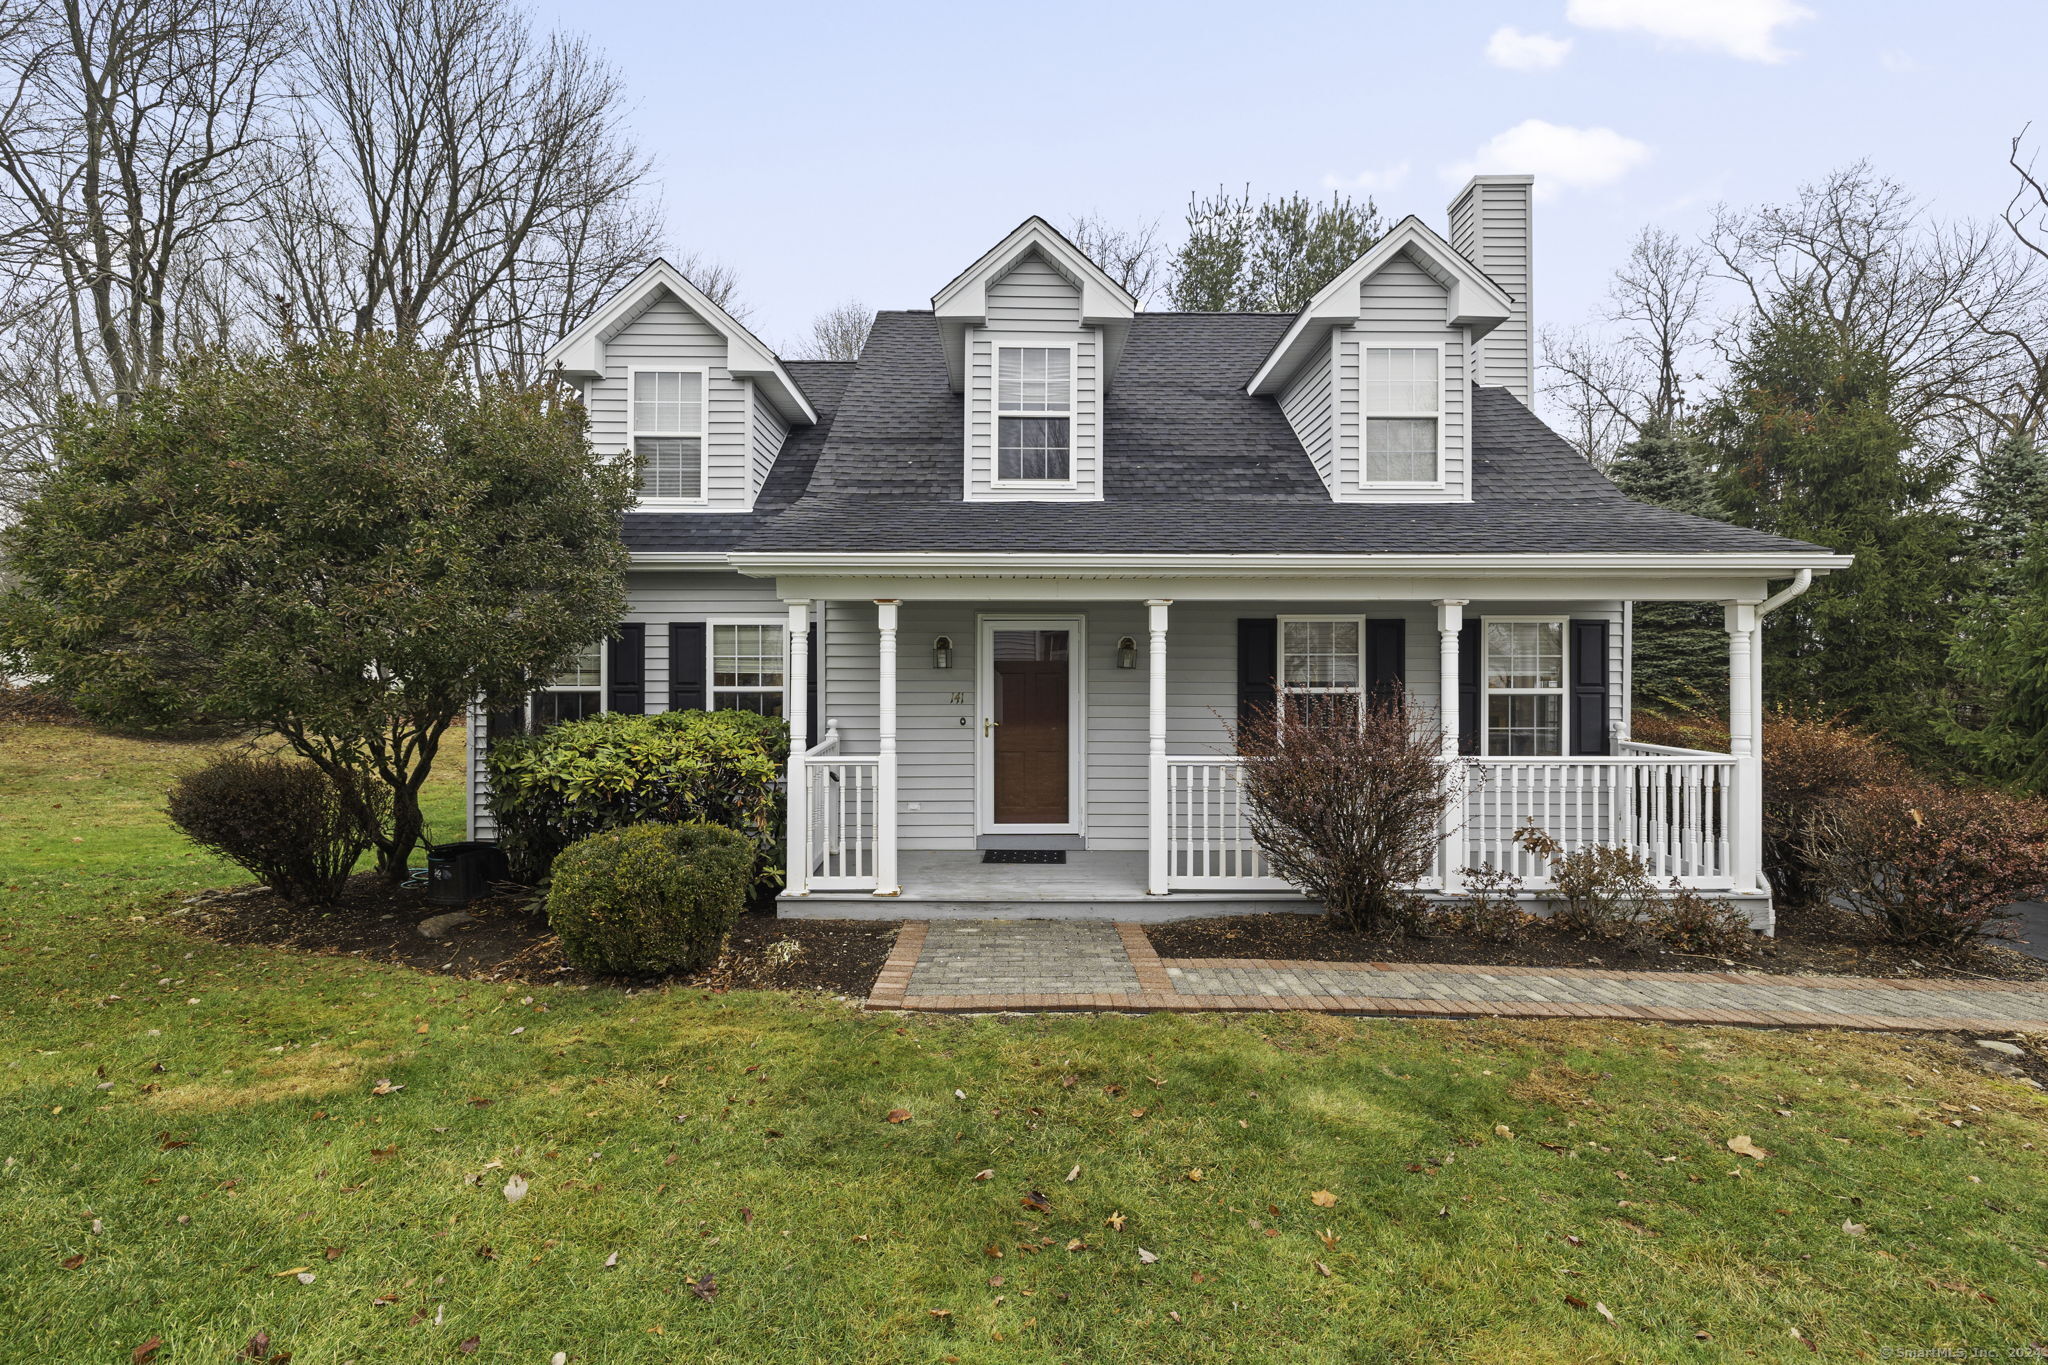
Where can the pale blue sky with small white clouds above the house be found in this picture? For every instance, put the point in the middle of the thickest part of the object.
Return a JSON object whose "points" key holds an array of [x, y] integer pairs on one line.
{"points": [[871, 150]]}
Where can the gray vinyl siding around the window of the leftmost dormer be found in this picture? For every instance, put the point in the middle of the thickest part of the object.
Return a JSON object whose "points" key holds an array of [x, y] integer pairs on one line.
{"points": [[669, 333]]}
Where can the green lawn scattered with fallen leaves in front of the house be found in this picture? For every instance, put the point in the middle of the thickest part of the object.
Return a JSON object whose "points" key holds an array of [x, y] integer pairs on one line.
{"points": [[214, 1114]]}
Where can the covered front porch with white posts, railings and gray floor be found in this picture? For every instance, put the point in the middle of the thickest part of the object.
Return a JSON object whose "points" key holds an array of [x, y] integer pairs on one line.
{"points": [[890, 820]]}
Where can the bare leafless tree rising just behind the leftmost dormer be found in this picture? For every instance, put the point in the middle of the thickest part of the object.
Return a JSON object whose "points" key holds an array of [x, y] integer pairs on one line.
{"points": [[472, 175]]}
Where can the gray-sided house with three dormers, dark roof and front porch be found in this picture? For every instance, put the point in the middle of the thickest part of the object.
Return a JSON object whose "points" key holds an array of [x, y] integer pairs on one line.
{"points": [[1013, 574]]}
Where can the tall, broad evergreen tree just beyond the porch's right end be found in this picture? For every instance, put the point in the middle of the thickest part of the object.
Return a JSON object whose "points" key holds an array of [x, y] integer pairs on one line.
{"points": [[1809, 447]]}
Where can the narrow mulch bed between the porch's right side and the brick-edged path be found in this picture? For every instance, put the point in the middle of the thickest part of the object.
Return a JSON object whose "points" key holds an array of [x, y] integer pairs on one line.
{"points": [[1801, 949]]}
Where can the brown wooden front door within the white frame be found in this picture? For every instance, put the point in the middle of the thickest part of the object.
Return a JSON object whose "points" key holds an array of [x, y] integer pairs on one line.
{"points": [[1029, 742]]}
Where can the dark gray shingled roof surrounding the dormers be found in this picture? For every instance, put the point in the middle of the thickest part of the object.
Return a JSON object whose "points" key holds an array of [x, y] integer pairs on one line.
{"points": [[1193, 466]]}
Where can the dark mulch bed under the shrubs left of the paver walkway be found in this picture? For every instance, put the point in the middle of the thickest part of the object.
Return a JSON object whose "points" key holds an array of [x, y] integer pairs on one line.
{"points": [[509, 938]]}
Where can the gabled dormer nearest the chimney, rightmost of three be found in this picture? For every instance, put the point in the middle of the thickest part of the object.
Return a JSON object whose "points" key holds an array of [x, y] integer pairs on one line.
{"points": [[1375, 373]]}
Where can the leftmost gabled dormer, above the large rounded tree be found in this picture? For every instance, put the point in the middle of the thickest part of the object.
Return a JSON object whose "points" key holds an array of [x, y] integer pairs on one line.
{"points": [[679, 386]]}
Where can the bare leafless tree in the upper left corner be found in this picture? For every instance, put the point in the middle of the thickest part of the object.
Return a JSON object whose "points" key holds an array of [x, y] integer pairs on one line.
{"points": [[130, 150]]}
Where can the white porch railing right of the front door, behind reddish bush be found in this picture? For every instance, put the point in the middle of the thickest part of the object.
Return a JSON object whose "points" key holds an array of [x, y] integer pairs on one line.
{"points": [[1674, 807]]}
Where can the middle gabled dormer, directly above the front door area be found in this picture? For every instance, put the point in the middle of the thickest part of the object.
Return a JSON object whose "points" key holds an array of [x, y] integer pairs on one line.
{"points": [[1033, 333]]}
